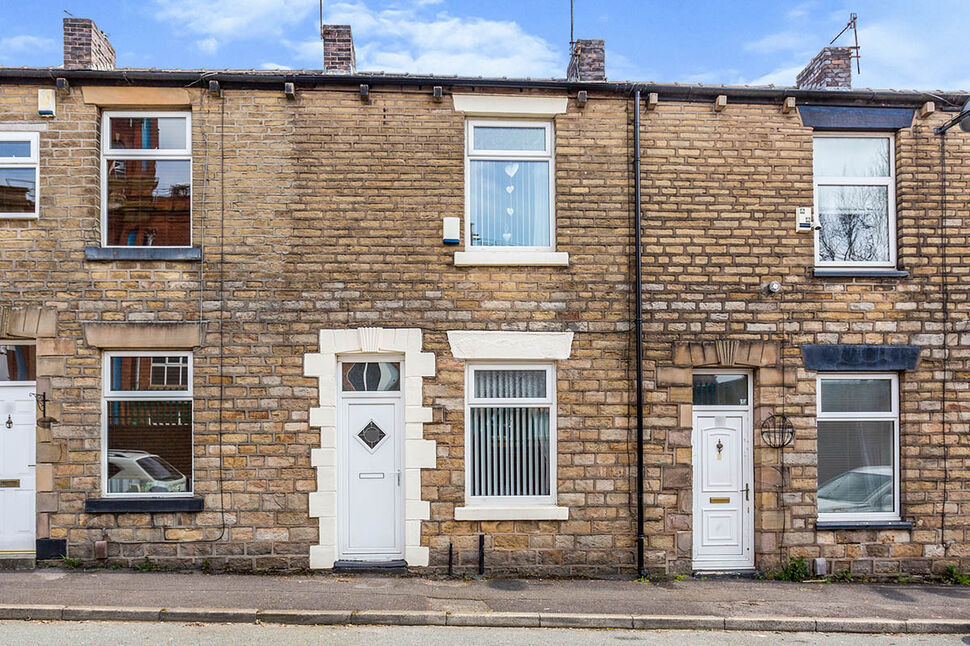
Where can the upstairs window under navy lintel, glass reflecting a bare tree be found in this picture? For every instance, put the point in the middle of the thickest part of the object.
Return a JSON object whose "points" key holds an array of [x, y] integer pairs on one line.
{"points": [[855, 201]]}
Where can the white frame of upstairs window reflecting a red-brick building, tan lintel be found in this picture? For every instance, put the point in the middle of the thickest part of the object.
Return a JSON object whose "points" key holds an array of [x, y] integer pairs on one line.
{"points": [[130, 154]]}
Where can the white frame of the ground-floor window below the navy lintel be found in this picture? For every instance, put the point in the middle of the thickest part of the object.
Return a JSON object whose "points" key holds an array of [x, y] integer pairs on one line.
{"points": [[865, 416]]}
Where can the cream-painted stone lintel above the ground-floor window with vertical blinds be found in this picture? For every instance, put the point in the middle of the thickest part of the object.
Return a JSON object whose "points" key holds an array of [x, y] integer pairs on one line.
{"points": [[510, 345]]}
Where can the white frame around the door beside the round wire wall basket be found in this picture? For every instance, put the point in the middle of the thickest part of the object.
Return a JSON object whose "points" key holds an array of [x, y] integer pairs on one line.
{"points": [[747, 473]]}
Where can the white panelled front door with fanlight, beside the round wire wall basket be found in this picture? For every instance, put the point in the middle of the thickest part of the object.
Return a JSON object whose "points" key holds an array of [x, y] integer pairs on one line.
{"points": [[723, 477]]}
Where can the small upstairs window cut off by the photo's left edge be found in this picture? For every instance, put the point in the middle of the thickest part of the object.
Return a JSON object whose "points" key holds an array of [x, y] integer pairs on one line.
{"points": [[19, 175]]}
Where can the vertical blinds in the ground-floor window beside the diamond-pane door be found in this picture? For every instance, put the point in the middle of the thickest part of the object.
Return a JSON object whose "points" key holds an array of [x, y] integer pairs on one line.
{"points": [[509, 445]]}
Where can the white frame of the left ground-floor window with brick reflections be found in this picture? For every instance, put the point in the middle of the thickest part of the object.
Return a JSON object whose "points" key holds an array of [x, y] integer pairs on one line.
{"points": [[109, 395]]}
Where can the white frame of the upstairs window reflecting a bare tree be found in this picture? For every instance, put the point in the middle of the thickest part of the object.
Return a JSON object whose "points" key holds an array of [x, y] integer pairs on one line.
{"points": [[888, 181]]}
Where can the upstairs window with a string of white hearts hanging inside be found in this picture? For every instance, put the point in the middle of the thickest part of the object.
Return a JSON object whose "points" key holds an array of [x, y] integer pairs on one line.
{"points": [[509, 185]]}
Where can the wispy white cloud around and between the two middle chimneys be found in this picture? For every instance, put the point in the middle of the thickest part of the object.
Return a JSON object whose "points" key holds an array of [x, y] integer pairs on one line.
{"points": [[409, 40]]}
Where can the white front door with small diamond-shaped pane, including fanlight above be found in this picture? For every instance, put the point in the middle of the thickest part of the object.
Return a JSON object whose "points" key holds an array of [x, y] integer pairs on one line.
{"points": [[370, 489]]}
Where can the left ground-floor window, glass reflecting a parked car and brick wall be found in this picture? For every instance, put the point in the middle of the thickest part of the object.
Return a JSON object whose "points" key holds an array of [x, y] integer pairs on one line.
{"points": [[147, 424]]}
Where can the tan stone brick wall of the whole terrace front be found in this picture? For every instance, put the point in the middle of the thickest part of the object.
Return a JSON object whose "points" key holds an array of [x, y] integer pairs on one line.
{"points": [[332, 218]]}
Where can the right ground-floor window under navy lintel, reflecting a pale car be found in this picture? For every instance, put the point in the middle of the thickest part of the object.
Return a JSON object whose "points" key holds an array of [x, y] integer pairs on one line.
{"points": [[858, 446]]}
